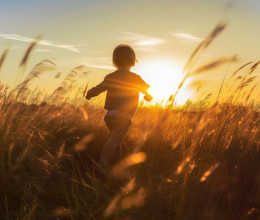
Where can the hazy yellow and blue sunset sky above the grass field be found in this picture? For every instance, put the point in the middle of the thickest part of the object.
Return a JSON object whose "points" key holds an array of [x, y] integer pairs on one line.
{"points": [[77, 32]]}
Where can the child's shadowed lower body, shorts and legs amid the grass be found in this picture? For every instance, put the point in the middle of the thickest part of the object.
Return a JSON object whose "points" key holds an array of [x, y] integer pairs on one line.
{"points": [[118, 126]]}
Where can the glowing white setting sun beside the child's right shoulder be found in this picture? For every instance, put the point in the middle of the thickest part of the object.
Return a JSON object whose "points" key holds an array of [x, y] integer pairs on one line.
{"points": [[163, 76]]}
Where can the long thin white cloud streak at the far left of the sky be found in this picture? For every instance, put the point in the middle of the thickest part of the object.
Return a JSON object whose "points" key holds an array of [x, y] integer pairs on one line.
{"points": [[17, 37]]}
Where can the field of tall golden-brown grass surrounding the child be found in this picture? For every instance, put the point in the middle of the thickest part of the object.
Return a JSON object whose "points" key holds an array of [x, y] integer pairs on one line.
{"points": [[197, 161]]}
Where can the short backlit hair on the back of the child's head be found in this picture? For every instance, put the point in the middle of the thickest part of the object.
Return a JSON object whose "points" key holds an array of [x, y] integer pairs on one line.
{"points": [[124, 56]]}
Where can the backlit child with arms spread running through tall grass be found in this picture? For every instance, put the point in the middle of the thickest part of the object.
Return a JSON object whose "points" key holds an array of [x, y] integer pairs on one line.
{"points": [[122, 97]]}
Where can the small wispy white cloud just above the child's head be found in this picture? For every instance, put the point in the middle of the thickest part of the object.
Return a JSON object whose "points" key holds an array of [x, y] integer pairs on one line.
{"points": [[142, 40]]}
